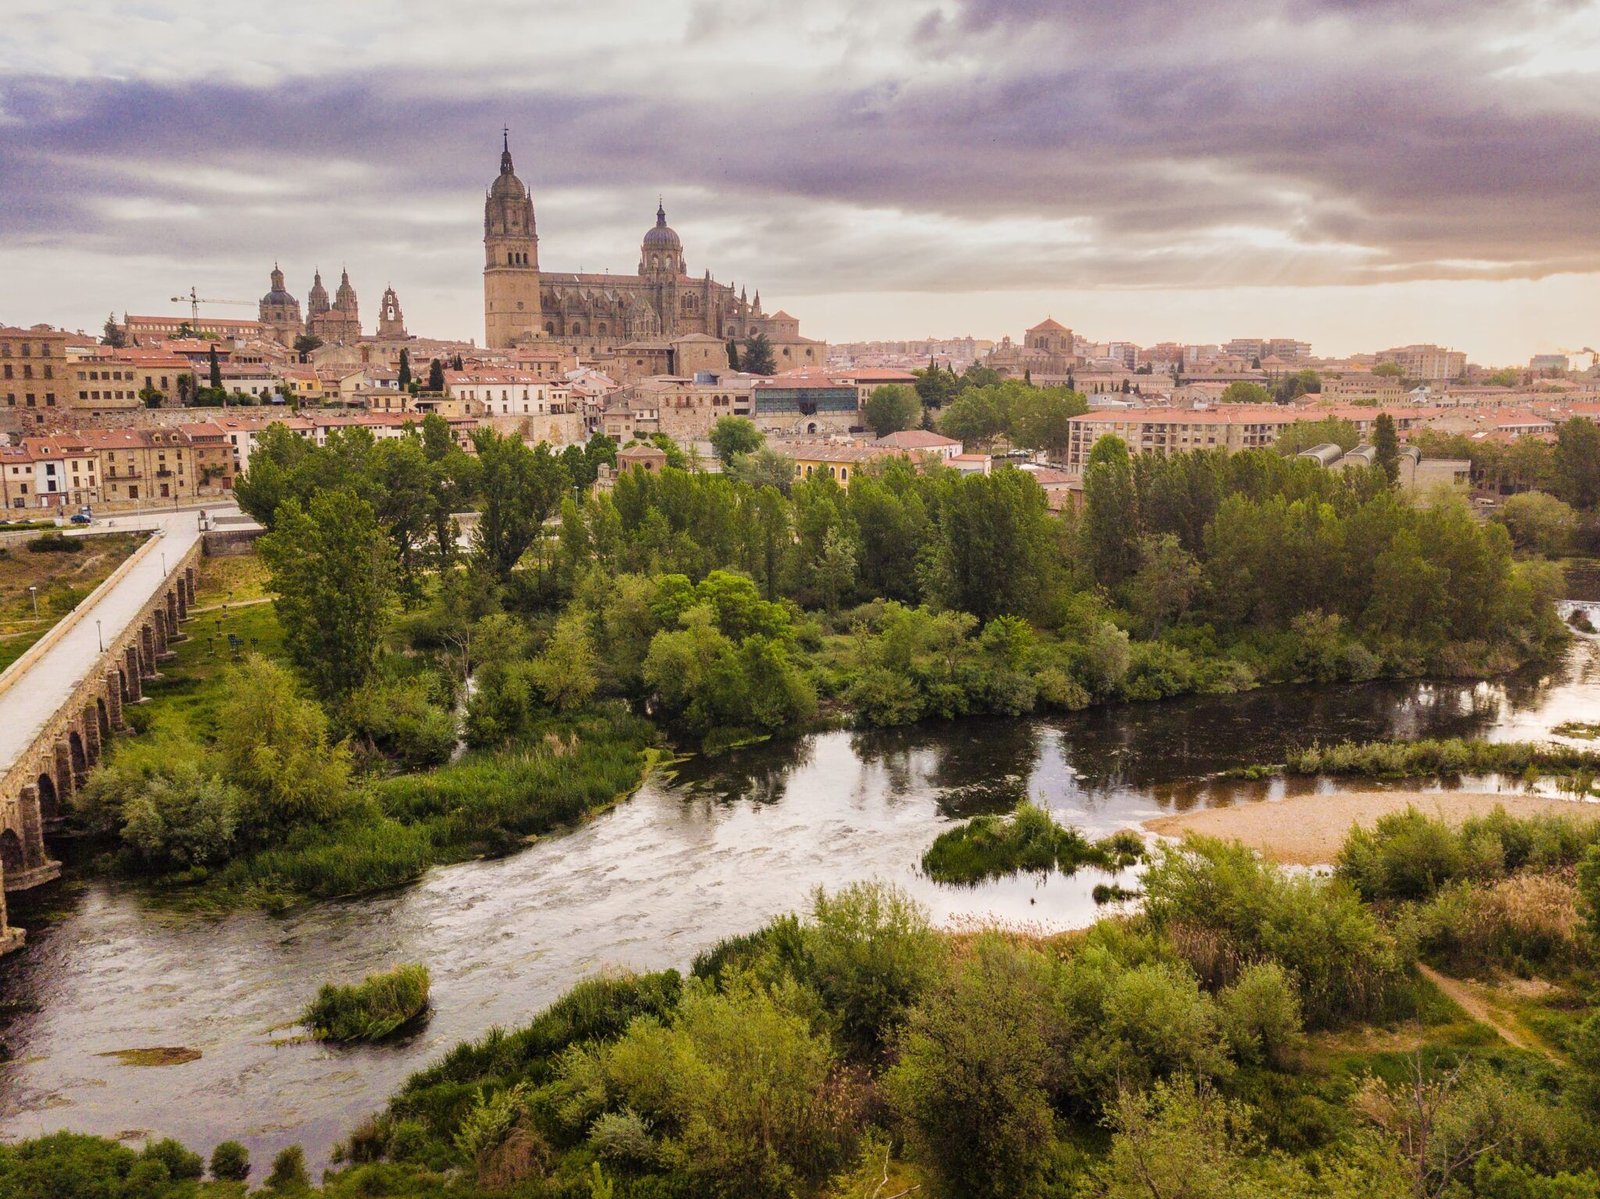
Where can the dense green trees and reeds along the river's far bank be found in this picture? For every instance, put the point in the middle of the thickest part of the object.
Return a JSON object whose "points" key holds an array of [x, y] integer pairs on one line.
{"points": [[580, 632]]}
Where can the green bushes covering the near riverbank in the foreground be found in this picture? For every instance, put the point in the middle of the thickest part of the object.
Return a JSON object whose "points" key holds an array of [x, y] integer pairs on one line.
{"points": [[1249, 1033]]}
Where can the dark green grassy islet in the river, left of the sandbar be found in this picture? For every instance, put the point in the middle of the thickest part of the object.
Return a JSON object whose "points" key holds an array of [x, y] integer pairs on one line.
{"points": [[1030, 840]]}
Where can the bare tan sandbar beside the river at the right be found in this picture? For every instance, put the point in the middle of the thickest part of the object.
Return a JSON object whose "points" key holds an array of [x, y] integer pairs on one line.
{"points": [[1308, 830]]}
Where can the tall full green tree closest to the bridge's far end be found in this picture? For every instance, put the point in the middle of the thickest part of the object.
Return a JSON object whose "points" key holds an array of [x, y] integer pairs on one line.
{"points": [[334, 574]]}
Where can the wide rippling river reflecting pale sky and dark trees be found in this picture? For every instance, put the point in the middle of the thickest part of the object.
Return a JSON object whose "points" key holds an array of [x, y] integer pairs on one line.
{"points": [[690, 860]]}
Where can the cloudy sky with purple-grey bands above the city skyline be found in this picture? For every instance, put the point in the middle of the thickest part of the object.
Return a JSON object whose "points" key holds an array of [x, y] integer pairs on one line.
{"points": [[1353, 172]]}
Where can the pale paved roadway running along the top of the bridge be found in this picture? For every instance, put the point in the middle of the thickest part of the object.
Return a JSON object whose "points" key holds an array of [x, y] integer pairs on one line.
{"points": [[30, 704]]}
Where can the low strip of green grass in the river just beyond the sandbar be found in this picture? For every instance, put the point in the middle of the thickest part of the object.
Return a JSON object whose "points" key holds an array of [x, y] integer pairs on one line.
{"points": [[1455, 756]]}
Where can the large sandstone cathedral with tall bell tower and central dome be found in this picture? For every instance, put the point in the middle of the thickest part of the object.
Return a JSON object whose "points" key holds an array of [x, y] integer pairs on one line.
{"points": [[601, 313]]}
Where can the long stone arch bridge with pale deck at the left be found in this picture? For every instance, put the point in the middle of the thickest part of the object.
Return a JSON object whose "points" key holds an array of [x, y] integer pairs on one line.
{"points": [[66, 697]]}
